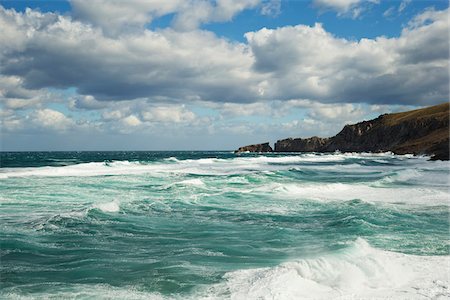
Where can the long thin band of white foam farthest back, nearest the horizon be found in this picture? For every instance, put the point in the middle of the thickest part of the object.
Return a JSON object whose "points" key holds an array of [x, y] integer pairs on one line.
{"points": [[204, 166]]}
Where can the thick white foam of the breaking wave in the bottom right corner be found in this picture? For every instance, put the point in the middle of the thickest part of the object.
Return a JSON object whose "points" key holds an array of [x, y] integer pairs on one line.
{"points": [[359, 271]]}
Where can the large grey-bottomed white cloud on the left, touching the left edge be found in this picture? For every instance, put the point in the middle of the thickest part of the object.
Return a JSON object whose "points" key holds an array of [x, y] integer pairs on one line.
{"points": [[66, 53]]}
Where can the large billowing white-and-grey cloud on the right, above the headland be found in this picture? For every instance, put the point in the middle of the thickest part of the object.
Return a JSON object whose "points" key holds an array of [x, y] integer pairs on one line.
{"points": [[310, 63]]}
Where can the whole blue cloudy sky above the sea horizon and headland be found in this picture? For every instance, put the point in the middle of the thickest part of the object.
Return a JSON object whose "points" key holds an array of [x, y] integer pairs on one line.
{"points": [[211, 75]]}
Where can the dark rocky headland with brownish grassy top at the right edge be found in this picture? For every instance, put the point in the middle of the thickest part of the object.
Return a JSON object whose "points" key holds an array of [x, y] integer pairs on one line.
{"points": [[421, 131]]}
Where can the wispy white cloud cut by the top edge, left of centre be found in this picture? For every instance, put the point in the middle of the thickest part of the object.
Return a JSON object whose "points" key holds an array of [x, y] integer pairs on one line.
{"points": [[115, 17]]}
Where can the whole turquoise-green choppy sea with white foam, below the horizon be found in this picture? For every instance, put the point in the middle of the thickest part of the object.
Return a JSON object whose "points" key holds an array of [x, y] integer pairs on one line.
{"points": [[219, 225]]}
